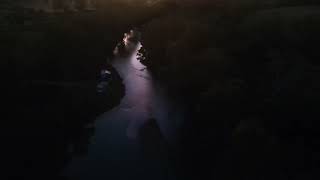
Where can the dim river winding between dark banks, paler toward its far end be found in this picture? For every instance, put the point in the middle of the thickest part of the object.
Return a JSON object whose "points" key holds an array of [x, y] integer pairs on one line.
{"points": [[135, 139]]}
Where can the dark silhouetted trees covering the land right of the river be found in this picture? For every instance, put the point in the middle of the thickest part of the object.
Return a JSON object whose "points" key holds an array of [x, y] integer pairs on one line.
{"points": [[249, 70]]}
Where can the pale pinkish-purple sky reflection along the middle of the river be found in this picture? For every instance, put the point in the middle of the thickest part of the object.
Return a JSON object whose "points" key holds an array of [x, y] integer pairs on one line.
{"points": [[139, 92]]}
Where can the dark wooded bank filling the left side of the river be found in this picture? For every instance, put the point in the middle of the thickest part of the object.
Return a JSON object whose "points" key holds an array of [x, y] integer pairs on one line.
{"points": [[50, 67]]}
